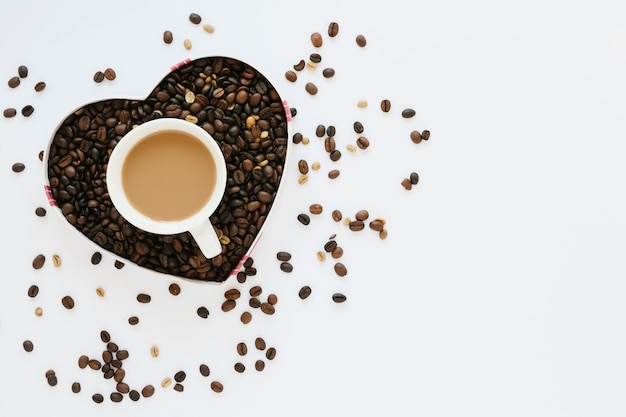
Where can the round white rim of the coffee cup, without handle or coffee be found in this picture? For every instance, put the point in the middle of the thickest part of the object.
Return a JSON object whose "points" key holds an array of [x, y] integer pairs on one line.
{"points": [[128, 142]]}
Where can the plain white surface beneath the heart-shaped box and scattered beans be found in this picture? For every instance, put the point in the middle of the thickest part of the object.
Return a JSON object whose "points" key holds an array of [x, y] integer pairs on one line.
{"points": [[499, 291]]}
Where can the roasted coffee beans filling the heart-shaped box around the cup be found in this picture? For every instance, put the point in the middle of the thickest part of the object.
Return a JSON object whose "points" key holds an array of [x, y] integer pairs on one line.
{"points": [[229, 99]]}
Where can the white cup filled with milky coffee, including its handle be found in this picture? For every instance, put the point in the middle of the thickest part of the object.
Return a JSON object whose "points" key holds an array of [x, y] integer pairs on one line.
{"points": [[168, 176]]}
